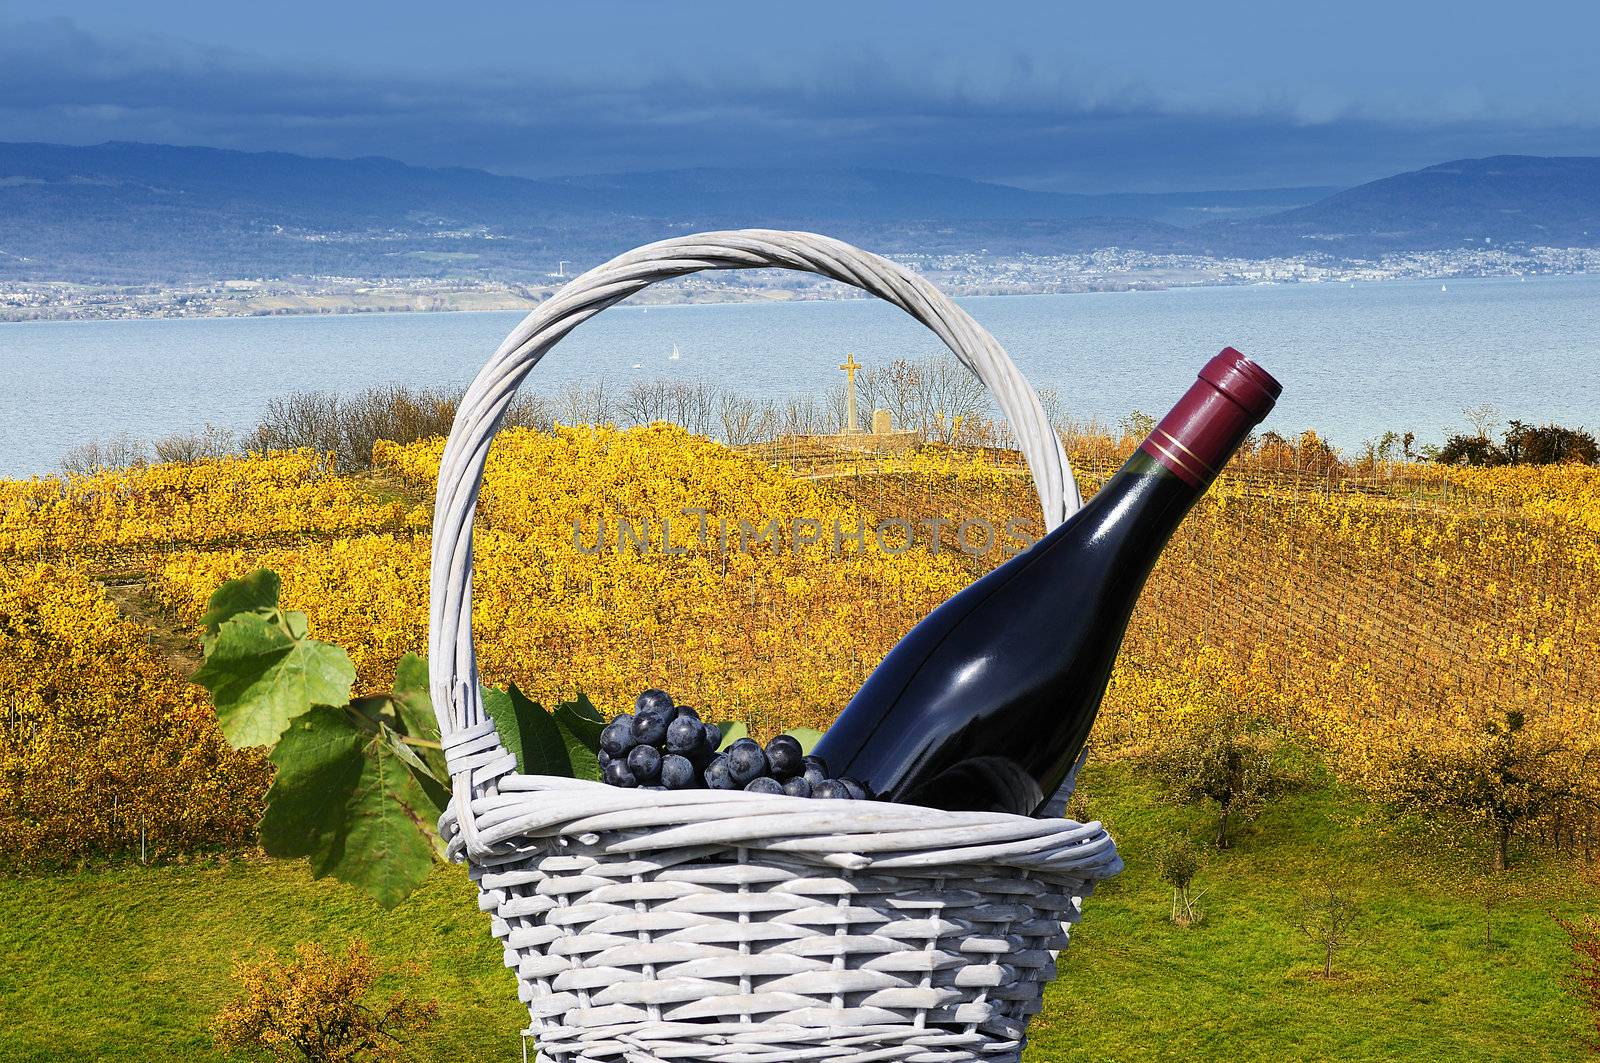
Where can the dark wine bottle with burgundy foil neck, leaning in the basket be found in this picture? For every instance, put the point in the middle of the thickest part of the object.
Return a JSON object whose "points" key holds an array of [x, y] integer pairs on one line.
{"points": [[990, 700]]}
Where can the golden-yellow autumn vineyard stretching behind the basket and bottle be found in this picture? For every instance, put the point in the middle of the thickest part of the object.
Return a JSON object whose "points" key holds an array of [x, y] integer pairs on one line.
{"points": [[1370, 611]]}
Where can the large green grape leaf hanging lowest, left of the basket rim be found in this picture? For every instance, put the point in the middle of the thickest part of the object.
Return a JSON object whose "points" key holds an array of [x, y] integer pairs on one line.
{"points": [[346, 798]]}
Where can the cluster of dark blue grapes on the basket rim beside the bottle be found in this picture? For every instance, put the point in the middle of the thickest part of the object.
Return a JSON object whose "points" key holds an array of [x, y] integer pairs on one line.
{"points": [[662, 745]]}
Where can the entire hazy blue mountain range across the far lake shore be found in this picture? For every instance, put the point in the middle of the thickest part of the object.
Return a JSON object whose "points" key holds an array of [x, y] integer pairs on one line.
{"points": [[137, 214]]}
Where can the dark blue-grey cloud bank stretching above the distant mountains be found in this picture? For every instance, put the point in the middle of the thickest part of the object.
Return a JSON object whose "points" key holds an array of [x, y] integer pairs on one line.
{"points": [[1020, 122]]}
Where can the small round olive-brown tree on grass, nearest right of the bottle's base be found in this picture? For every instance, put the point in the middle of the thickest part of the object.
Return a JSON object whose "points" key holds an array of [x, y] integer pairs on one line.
{"points": [[1225, 760]]}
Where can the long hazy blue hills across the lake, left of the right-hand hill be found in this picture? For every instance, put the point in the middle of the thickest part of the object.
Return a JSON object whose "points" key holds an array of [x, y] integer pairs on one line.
{"points": [[158, 214]]}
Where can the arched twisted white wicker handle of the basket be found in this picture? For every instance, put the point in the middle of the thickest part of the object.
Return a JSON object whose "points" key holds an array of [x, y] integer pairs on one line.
{"points": [[470, 739]]}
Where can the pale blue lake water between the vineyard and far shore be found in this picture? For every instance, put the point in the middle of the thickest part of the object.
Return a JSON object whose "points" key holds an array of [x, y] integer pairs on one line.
{"points": [[1354, 361]]}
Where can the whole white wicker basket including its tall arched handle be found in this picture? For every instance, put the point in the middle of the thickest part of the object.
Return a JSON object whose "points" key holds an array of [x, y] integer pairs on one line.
{"points": [[742, 928]]}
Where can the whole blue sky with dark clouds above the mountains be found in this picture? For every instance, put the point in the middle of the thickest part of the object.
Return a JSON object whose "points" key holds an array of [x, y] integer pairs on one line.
{"points": [[1129, 97]]}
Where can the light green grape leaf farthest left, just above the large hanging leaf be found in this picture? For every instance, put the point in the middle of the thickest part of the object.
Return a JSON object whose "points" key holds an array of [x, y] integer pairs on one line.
{"points": [[262, 678]]}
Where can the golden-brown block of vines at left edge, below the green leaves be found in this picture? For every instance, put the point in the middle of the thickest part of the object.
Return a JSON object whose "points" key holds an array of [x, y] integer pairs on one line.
{"points": [[103, 747]]}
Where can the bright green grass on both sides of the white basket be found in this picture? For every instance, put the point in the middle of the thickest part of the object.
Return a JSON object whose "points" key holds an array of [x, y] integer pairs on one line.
{"points": [[132, 963]]}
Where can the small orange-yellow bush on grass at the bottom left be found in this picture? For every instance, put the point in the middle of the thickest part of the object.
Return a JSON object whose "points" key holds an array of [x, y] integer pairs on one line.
{"points": [[311, 1008]]}
